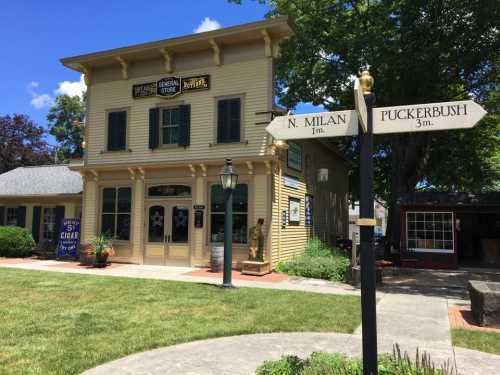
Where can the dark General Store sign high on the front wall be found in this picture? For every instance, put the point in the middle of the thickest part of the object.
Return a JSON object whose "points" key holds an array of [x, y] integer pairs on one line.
{"points": [[169, 87]]}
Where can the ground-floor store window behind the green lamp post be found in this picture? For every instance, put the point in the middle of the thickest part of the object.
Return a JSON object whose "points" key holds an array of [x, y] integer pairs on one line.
{"points": [[240, 213]]}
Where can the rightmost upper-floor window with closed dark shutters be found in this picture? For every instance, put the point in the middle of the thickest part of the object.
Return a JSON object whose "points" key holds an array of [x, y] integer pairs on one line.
{"points": [[228, 120]]}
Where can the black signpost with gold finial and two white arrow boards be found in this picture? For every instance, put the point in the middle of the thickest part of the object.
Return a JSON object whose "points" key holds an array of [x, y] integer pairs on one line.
{"points": [[400, 119]]}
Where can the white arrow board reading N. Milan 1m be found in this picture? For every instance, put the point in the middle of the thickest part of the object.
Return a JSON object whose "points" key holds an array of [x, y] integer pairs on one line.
{"points": [[314, 125]]}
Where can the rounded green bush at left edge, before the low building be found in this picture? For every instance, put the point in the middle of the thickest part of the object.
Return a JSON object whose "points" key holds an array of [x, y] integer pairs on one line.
{"points": [[15, 242]]}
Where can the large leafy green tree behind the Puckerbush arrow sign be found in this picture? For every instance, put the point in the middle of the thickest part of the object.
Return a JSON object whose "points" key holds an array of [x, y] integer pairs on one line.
{"points": [[419, 51]]}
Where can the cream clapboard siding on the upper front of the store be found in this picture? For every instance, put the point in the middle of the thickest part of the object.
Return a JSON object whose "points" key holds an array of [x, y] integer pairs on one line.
{"points": [[247, 78]]}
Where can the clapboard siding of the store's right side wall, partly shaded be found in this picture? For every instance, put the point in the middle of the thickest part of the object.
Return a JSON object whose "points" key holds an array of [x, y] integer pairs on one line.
{"points": [[330, 218]]}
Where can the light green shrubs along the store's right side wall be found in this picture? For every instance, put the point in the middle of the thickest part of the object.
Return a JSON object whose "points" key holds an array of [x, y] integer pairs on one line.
{"points": [[318, 262]]}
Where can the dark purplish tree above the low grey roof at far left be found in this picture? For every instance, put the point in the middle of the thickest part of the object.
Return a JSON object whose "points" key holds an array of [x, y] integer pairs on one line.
{"points": [[22, 143]]}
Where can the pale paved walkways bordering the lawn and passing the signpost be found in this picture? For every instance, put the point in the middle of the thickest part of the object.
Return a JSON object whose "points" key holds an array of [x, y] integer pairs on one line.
{"points": [[414, 315]]}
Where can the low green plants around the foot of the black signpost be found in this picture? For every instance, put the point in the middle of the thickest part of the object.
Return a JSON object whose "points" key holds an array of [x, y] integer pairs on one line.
{"points": [[336, 364]]}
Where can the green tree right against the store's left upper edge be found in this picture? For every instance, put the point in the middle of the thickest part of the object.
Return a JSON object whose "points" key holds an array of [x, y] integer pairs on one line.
{"points": [[65, 120]]}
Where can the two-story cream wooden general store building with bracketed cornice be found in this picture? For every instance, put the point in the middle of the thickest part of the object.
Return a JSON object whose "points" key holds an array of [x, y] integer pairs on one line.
{"points": [[161, 119]]}
